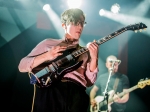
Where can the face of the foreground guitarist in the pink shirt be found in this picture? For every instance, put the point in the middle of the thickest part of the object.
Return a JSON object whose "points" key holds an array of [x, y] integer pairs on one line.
{"points": [[73, 31]]}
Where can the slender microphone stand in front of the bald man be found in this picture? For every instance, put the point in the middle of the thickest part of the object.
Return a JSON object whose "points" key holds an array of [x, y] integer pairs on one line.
{"points": [[106, 95]]}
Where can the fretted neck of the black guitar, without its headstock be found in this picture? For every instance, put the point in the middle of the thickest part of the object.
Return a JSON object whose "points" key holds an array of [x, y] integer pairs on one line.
{"points": [[100, 41]]}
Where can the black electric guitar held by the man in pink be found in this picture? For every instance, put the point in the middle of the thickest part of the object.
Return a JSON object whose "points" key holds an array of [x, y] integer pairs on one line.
{"points": [[55, 70]]}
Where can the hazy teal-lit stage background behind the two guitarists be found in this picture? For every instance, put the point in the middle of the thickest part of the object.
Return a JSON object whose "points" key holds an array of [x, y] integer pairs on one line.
{"points": [[23, 24]]}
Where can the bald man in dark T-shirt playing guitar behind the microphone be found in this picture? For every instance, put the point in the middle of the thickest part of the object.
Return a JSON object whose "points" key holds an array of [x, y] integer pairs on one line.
{"points": [[118, 83]]}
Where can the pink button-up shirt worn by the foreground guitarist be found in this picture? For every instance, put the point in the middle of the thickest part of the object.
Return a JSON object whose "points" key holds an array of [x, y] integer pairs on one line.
{"points": [[87, 78]]}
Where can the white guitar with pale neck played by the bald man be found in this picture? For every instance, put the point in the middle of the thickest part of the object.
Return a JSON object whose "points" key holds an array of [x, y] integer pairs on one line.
{"points": [[101, 102]]}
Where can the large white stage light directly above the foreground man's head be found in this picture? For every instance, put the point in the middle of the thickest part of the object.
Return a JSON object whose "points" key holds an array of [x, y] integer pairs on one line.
{"points": [[74, 3]]}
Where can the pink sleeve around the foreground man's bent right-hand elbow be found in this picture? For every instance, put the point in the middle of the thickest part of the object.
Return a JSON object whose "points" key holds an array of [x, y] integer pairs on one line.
{"points": [[91, 76]]}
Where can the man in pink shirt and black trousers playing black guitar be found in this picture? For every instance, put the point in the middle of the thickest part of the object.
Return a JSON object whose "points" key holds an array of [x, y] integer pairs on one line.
{"points": [[67, 94]]}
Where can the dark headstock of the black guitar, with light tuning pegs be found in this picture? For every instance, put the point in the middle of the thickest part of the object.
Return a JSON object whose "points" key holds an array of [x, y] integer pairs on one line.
{"points": [[136, 27]]}
